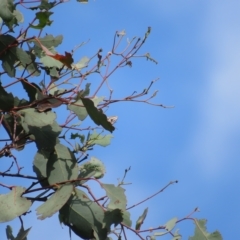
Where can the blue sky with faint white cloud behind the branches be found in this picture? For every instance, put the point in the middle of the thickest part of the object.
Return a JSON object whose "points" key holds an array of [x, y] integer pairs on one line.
{"points": [[196, 44]]}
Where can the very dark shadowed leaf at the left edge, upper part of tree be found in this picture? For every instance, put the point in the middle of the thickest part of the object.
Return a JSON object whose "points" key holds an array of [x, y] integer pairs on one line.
{"points": [[8, 55]]}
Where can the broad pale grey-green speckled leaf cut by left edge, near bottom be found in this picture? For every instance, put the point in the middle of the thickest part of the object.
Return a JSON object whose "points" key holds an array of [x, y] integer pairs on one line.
{"points": [[14, 203]]}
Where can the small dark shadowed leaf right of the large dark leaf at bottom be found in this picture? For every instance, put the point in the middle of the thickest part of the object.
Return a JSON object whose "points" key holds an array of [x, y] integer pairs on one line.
{"points": [[112, 217]]}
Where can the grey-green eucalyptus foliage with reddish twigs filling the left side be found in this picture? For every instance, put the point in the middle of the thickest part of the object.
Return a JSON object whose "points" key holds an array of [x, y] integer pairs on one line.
{"points": [[61, 149]]}
